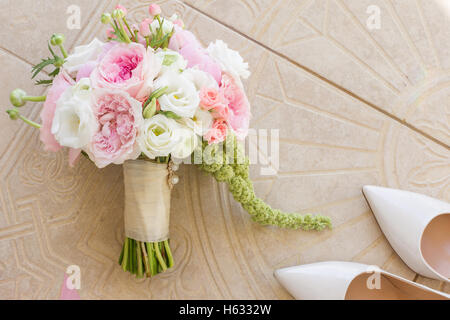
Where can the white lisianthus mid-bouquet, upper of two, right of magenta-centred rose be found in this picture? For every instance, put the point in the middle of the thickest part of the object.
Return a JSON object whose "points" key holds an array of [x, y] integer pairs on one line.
{"points": [[181, 97]]}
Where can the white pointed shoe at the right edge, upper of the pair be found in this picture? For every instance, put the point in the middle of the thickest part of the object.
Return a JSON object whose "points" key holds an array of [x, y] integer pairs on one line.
{"points": [[417, 227]]}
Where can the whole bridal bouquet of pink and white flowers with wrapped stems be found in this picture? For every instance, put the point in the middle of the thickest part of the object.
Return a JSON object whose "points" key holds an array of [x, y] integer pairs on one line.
{"points": [[151, 97]]}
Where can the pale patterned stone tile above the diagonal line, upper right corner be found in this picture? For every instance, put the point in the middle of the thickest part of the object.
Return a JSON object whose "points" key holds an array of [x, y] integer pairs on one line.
{"points": [[402, 67]]}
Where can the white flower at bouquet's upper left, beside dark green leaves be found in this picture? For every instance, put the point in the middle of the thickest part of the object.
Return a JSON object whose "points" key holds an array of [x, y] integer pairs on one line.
{"points": [[82, 55]]}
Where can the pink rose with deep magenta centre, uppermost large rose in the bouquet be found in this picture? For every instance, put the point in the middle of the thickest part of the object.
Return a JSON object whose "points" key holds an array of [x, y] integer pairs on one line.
{"points": [[129, 67]]}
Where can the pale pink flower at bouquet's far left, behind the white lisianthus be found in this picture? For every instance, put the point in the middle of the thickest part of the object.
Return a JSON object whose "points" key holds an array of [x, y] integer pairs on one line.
{"points": [[61, 82]]}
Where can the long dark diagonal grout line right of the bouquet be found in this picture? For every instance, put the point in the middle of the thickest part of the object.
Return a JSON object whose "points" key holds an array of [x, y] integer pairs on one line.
{"points": [[320, 77]]}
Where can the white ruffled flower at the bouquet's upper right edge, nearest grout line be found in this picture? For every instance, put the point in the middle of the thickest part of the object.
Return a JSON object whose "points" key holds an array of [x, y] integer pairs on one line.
{"points": [[228, 59]]}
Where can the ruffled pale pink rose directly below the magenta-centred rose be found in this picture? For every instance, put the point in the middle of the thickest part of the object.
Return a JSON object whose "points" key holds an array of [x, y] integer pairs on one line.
{"points": [[119, 117]]}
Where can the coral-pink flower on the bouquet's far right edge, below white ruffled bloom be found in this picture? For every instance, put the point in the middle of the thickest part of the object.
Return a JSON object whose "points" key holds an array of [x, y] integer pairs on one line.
{"points": [[238, 103]]}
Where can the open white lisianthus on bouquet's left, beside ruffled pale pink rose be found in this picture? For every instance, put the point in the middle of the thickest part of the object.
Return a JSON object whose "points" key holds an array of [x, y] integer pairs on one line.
{"points": [[74, 122]]}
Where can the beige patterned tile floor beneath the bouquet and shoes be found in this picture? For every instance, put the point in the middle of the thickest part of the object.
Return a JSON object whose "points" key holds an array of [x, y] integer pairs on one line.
{"points": [[353, 106]]}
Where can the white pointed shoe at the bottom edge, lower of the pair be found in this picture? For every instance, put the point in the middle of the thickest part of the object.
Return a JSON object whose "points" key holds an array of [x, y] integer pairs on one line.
{"points": [[350, 281]]}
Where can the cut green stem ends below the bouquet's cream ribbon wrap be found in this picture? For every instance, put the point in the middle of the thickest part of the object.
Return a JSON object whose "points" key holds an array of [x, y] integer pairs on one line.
{"points": [[145, 259]]}
